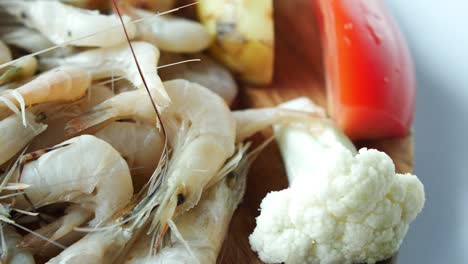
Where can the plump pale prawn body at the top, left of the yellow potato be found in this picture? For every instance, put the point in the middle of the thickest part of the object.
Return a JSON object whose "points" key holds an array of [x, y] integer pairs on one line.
{"points": [[173, 34]]}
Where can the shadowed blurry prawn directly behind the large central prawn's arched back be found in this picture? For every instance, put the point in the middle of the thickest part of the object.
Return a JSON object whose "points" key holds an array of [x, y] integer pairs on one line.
{"points": [[207, 73]]}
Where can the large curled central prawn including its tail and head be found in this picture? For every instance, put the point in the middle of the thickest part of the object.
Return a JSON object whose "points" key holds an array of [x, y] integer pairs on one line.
{"points": [[202, 136]]}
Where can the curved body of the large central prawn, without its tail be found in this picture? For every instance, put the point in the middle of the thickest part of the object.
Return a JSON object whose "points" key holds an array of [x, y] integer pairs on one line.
{"points": [[205, 139]]}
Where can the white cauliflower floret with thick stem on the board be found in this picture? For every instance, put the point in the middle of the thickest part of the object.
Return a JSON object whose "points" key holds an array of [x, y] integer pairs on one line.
{"points": [[350, 208]]}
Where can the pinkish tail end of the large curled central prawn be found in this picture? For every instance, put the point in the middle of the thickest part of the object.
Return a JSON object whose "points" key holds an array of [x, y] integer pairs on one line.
{"points": [[93, 119]]}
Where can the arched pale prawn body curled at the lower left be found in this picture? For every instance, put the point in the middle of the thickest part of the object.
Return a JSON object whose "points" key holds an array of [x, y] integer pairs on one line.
{"points": [[86, 171]]}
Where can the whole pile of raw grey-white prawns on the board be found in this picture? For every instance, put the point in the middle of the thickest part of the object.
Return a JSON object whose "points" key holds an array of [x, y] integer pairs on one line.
{"points": [[109, 153]]}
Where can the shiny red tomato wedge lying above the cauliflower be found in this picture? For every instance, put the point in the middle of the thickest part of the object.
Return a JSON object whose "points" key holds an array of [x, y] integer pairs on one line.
{"points": [[369, 71]]}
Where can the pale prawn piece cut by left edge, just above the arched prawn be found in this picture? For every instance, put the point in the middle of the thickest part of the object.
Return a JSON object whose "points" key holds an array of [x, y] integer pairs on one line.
{"points": [[14, 136]]}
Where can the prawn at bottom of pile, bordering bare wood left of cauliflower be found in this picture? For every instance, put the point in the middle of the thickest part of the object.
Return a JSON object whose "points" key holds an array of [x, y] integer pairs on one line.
{"points": [[199, 233]]}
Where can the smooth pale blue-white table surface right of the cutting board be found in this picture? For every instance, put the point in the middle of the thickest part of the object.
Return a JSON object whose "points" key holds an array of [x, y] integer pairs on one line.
{"points": [[437, 32]]}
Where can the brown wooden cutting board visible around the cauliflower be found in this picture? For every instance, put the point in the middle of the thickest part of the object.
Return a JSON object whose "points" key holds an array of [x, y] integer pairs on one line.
{"points": [[298, 72]]}
